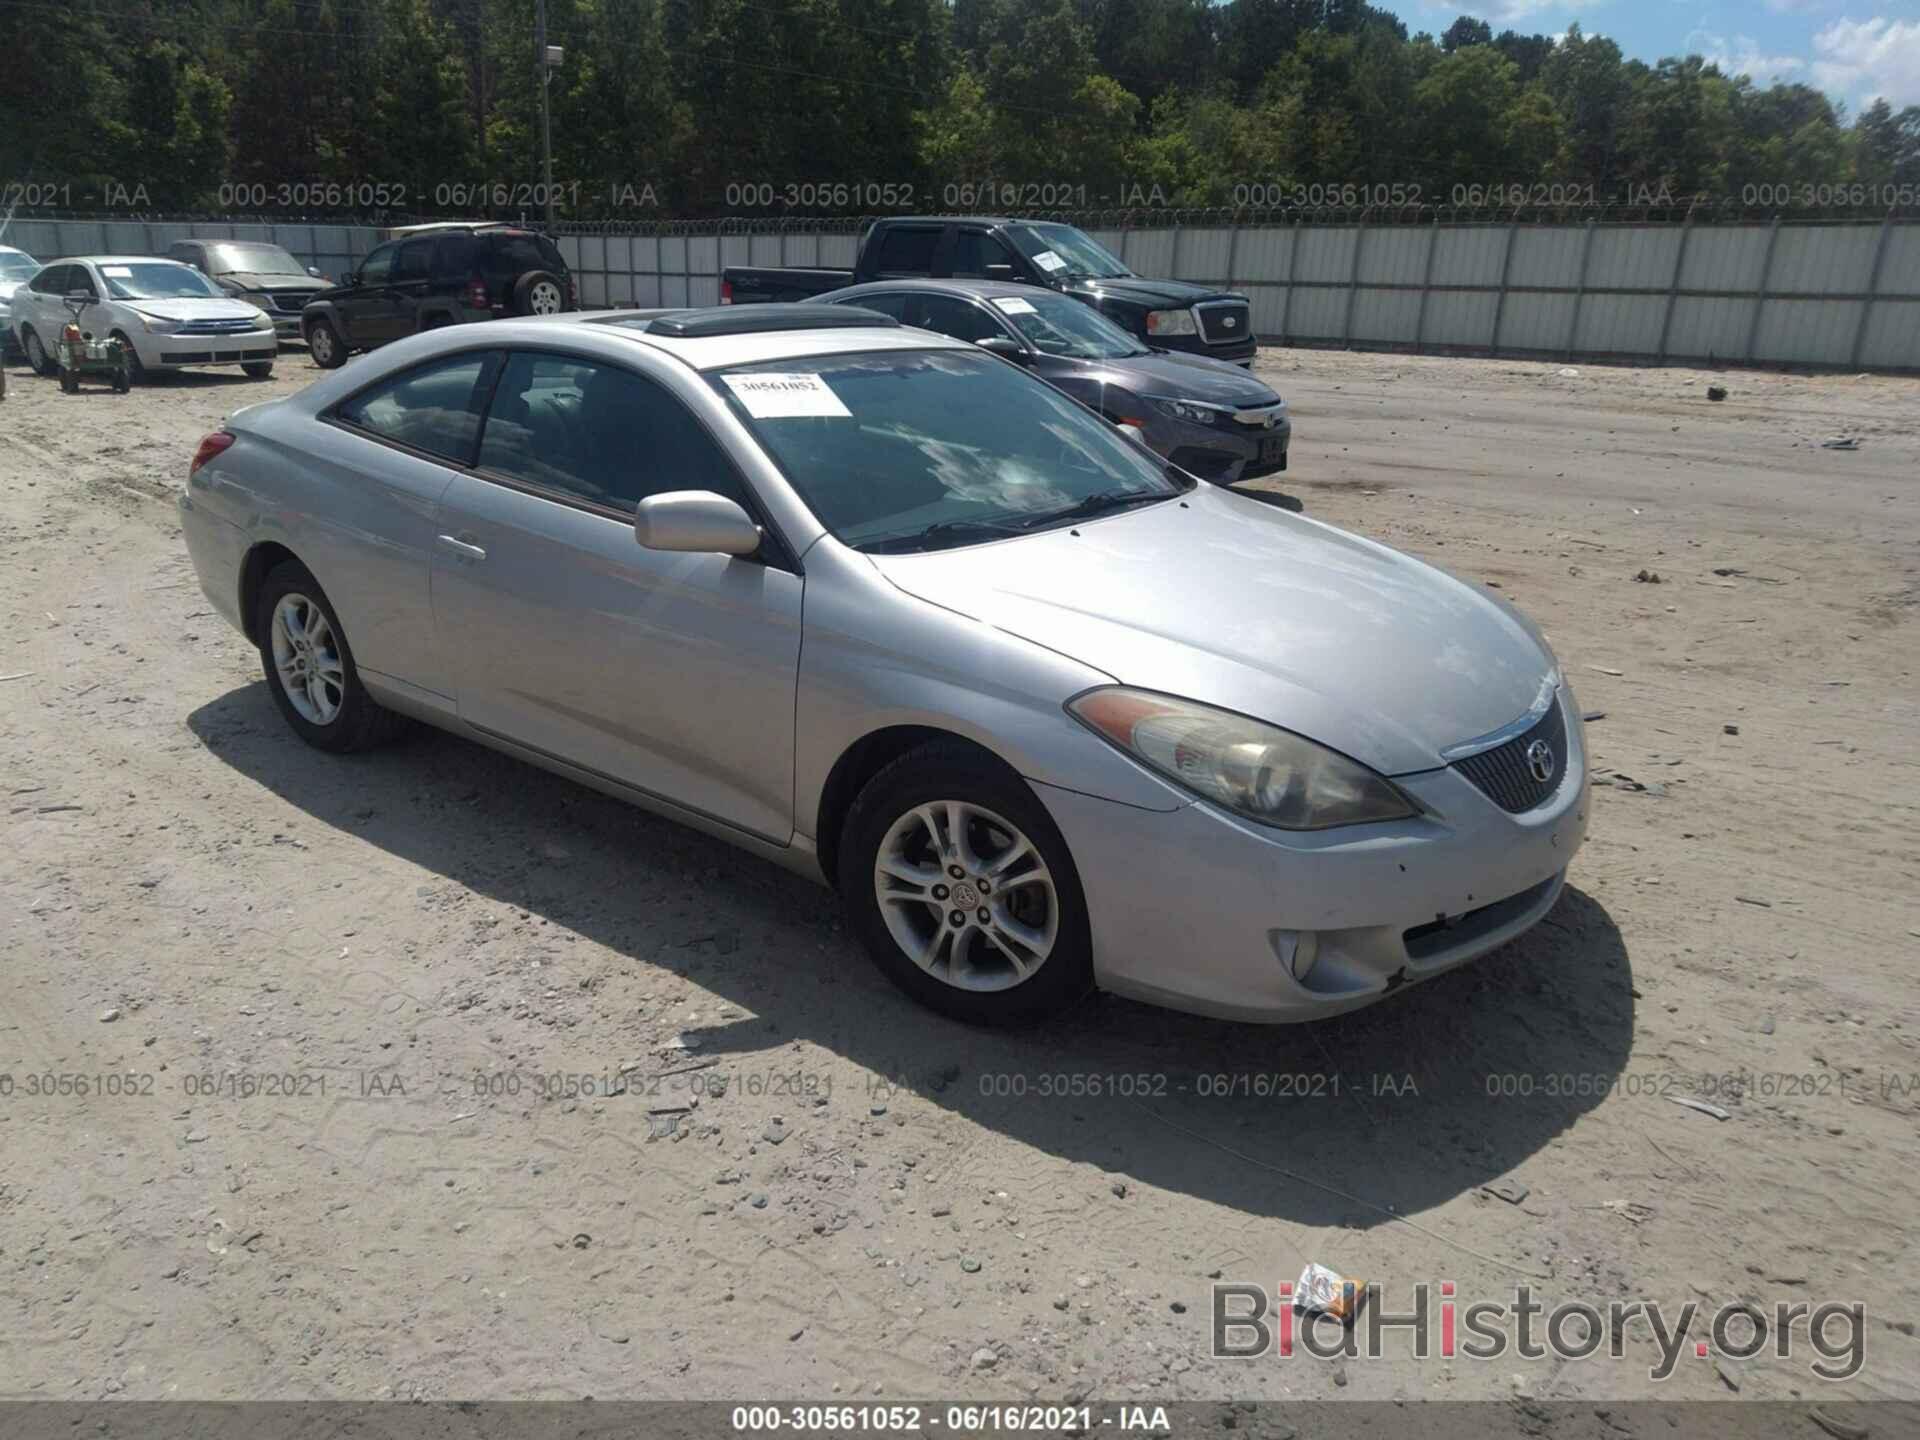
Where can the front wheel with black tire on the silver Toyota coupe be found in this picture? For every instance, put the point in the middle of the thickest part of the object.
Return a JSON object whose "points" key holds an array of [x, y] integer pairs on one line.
{"points": [[963, 890]]}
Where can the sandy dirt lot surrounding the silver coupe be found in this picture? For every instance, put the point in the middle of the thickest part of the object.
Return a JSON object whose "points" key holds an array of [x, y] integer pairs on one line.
{"points": [[435, 946]]}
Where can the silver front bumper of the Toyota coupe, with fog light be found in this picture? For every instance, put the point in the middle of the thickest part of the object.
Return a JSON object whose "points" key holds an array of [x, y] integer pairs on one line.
{"points": [[1195, 909]]}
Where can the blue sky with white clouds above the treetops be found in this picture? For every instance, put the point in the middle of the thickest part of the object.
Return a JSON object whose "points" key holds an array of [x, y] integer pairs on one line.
{"points": [[1852, 49]]}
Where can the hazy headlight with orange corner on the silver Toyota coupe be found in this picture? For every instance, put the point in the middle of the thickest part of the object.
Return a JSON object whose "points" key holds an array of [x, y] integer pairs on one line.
{"points": [[1253, 769]]}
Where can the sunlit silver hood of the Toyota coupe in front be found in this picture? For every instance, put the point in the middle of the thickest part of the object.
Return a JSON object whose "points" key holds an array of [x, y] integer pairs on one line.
{"points": [[1255, 610]]}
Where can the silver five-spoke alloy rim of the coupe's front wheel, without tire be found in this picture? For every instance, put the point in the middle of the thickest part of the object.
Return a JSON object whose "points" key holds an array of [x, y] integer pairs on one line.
{"points": [[967, 896]]}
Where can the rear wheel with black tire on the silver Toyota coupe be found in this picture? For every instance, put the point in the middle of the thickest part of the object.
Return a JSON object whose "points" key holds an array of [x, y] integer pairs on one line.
{"points": [[310, 667]]}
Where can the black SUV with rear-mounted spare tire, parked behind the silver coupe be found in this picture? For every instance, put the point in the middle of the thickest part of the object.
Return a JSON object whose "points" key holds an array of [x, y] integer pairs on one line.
{"points": [[433, 276]]}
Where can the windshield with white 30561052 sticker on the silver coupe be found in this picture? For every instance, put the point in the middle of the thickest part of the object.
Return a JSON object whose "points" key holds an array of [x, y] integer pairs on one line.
{"points": [[934, 448]]}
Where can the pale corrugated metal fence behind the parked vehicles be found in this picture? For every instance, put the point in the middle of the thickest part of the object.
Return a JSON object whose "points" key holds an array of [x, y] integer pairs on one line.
{"points": [[1785, 293]]}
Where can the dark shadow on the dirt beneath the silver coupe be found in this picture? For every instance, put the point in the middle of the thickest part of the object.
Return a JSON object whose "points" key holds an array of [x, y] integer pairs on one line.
{"points": [[1345, 1122]]}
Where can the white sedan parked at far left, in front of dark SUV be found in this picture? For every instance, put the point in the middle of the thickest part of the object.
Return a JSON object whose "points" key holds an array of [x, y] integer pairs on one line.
{"points": [[168, 316]]}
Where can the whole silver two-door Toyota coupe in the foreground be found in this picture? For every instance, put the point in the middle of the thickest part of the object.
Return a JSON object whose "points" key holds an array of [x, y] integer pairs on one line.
{"points": [[894, 613]]}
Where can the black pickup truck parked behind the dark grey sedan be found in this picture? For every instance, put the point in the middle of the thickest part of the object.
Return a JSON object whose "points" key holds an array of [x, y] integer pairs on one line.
{"points": [[1164, 314]]}
